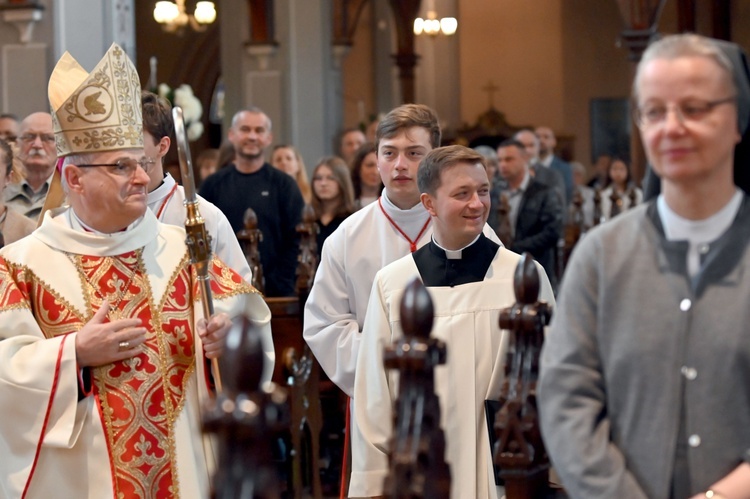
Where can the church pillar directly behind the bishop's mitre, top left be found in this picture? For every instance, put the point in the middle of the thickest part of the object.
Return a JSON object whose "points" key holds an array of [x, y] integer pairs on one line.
{"points": [[84, 28]]}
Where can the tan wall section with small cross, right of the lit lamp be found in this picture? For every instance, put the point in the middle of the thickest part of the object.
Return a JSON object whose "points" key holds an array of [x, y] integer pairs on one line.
{"points": [[516, 45]]}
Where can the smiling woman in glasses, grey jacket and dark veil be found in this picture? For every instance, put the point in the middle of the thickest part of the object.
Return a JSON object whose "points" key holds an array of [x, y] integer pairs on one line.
{"points": [[644, 373]]}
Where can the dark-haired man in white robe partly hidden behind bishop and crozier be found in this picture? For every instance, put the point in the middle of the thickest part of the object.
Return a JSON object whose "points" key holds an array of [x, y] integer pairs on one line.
{"points": [[166, 199]]}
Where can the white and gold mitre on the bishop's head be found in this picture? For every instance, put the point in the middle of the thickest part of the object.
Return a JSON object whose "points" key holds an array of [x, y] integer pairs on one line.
{"points": [[96, 112]]}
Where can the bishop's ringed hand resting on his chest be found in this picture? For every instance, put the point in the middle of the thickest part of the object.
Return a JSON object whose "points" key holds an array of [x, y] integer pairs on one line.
{"points": [[99, 342]]}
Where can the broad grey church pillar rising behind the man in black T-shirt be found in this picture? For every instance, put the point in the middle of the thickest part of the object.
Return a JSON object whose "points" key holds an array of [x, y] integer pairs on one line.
{"points": [[291, 77]]}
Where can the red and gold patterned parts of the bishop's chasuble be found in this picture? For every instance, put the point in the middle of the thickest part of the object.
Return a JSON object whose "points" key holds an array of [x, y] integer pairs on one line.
{"points": [[139, 399]]}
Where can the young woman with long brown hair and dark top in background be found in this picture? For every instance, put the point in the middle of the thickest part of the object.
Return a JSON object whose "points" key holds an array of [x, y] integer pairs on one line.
{"points": [[332, 197]]}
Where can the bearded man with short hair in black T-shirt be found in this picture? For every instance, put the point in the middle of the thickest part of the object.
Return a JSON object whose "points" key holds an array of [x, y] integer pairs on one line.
{"points": [[250, 182]]}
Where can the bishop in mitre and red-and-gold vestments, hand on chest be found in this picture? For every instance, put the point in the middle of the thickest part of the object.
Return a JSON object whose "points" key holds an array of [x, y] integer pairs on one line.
{"points": [[103, 346]]}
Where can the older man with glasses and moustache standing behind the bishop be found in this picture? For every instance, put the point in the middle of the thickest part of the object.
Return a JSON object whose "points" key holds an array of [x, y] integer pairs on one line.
{"points": [[36, 150]]}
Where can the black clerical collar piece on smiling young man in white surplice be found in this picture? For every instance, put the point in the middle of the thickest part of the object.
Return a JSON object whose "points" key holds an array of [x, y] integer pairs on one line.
{"points": [[438, 269]]}
